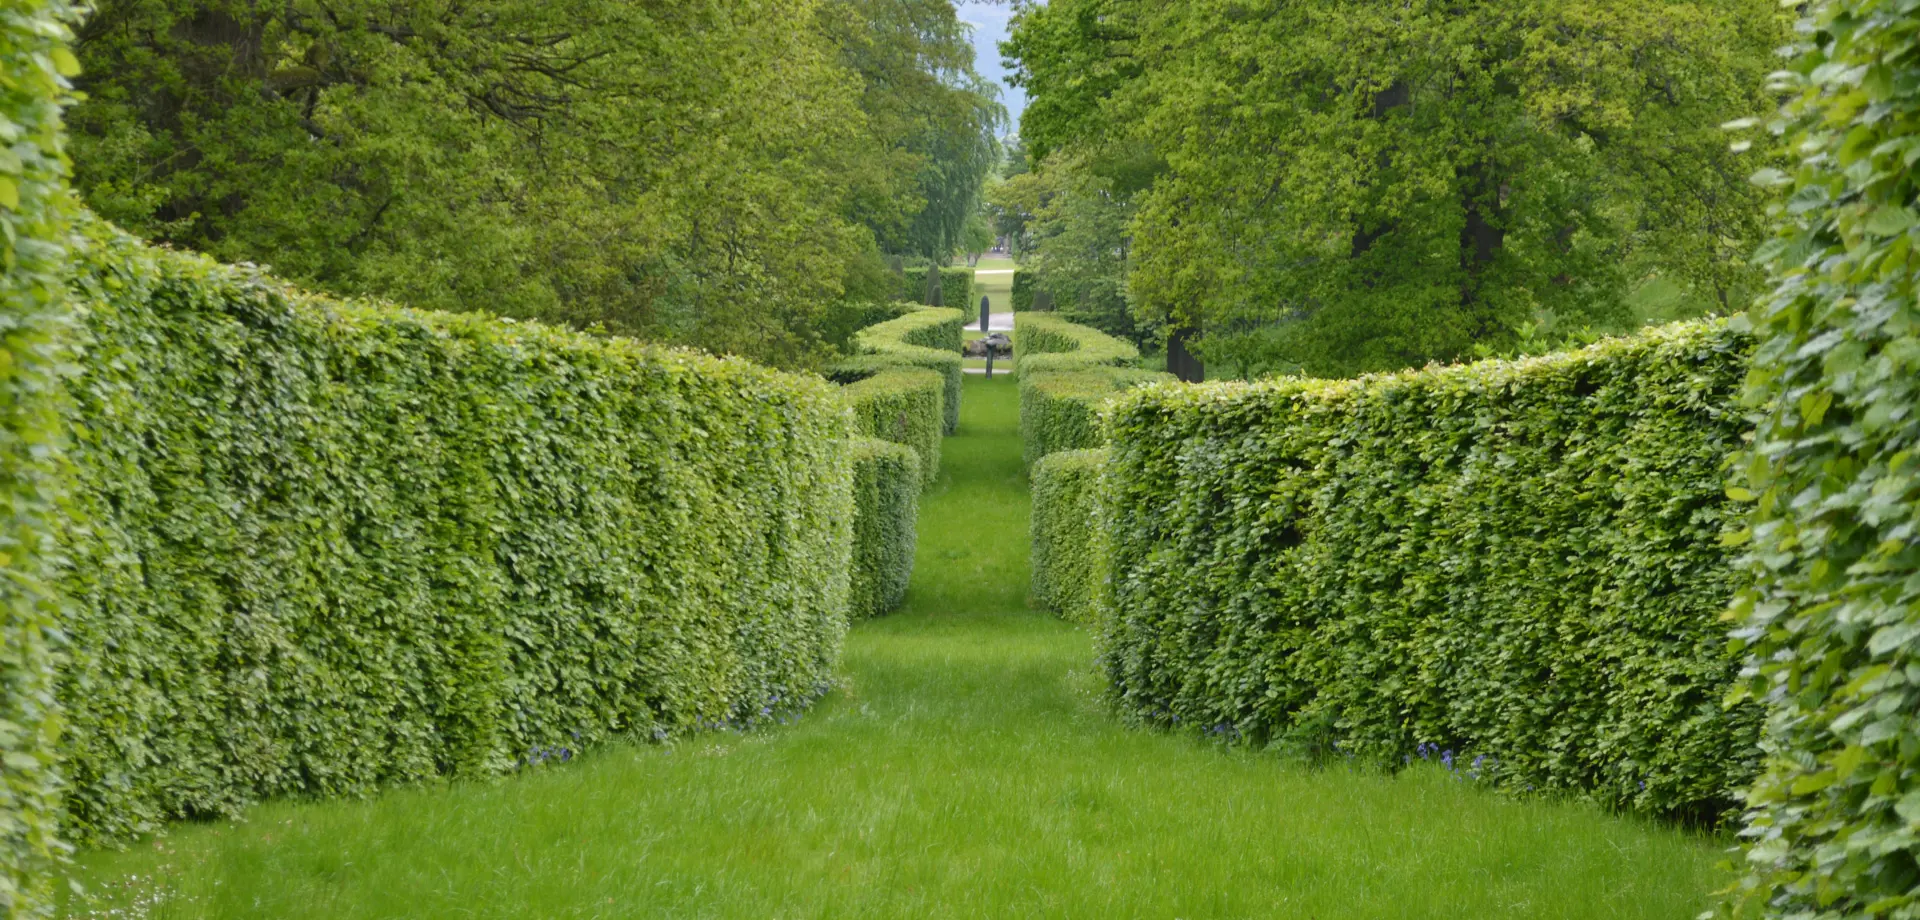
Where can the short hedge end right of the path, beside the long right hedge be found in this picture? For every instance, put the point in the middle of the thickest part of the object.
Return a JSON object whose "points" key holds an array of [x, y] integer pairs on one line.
{"points": [[1067, 539]]}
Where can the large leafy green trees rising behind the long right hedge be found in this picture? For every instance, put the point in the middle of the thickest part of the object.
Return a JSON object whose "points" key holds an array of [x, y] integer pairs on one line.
{"points": [[1351, 187]]}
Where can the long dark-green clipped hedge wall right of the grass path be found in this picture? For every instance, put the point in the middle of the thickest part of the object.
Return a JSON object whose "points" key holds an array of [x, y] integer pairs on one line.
{"points": [[1518, 562]]}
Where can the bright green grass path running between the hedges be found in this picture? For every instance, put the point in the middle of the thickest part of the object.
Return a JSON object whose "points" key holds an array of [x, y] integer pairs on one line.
{"points": [[967, 771]]}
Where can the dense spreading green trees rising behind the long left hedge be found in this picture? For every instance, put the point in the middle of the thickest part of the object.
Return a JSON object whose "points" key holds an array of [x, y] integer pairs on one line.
{"points": [[706, 172]]}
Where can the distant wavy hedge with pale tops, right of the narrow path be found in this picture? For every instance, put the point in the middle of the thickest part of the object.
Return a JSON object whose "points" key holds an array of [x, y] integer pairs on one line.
{"points": [[1067, 375]]}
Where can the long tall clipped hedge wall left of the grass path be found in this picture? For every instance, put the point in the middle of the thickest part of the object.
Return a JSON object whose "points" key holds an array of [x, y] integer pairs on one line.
{"points": [[337, 546]]}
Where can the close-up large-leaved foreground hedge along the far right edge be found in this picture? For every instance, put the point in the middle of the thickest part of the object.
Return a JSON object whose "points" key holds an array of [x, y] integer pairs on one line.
{"points": [[1833, 619]]}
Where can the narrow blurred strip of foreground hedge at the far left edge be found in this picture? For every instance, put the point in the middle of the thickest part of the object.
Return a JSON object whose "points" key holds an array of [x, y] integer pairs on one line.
{"points": [[36, 339]]}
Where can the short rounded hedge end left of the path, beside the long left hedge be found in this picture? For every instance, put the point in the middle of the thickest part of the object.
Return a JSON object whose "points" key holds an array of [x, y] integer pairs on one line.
{"points": [[886, 487]]}
